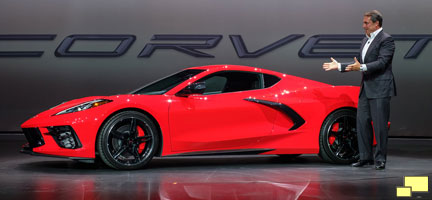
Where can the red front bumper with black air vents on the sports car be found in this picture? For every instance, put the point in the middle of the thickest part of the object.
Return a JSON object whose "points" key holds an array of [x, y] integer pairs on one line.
{"points": [[68, 135]]}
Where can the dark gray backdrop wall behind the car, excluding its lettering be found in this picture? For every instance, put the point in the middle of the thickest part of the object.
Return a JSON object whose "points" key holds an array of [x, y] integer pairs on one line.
{"points": [[31, 85]]}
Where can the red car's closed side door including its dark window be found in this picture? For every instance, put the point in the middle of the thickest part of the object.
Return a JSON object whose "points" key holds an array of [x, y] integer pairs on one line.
{"points": [[222, 118]]}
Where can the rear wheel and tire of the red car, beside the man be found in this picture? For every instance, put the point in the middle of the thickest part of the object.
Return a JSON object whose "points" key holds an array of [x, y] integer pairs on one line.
{"points": [[338, 138]]}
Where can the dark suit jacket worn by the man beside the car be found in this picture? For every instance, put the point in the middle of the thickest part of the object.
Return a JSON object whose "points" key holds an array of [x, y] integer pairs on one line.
{"points": [[378, 81]]}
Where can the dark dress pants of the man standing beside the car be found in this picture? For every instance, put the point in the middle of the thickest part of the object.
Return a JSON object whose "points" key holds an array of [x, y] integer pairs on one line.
{"points": [[376, 110]]}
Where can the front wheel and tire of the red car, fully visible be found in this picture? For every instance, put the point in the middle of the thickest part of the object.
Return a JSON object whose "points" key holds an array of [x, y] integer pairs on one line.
{"points": [[128, 140]]}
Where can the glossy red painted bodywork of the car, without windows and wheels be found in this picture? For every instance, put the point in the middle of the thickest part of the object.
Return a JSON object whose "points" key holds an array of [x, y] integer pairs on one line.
{"points": [[216, 122]]}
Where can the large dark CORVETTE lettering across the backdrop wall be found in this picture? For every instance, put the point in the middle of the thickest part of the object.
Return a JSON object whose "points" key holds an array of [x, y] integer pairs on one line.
{"points": [[316, 46]]}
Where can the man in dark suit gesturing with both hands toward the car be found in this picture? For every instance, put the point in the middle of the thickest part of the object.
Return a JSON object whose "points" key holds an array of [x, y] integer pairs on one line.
{"points": [[377, 88]]}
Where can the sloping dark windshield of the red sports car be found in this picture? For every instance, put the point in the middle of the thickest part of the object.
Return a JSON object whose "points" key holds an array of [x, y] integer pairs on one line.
{"points": [[163, 85]]}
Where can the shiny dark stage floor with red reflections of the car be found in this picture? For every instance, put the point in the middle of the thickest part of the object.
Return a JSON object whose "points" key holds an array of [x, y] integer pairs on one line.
{"points": [[229, 177]]}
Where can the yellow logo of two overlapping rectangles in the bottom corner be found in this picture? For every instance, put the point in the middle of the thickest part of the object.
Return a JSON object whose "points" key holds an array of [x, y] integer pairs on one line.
{"points": [[412, 184]]}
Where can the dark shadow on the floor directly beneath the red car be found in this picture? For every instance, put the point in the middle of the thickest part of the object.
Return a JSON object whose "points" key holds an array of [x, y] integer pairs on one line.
{"points": [[179, 163]]}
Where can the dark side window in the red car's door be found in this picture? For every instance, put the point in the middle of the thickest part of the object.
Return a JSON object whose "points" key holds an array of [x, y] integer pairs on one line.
{"points": [[232, 81]]}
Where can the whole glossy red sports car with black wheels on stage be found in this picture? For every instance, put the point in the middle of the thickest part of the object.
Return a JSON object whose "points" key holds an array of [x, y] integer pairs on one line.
{"points": [[207, 110]]}
